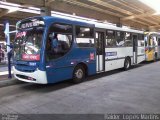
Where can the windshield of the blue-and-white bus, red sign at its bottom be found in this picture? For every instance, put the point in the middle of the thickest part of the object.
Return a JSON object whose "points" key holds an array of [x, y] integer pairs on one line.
{"points": [[27, 45]]}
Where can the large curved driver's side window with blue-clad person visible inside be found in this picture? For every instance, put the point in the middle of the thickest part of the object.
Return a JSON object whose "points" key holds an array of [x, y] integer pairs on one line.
{"points": [[59, 41]]}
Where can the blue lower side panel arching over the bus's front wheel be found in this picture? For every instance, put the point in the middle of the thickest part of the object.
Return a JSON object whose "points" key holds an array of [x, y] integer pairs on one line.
{"points": [[62, 68]]}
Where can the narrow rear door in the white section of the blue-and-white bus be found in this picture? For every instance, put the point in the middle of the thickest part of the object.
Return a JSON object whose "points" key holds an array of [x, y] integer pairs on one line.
{"points": [[135, 45]]}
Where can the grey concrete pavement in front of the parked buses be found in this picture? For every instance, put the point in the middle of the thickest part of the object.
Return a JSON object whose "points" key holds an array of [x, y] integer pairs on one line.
{"points": [[133, 91]]}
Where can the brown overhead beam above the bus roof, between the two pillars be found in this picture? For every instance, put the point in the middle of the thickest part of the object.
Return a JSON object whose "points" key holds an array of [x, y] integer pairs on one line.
{"points": [[69, 8]]}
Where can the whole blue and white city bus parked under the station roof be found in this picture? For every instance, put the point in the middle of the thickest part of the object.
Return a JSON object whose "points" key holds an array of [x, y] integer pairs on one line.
{"points": [[82, 49]]}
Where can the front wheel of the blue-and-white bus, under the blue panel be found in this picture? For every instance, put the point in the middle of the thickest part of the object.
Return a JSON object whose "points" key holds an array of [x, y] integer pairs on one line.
{"points": [[78, 74]]}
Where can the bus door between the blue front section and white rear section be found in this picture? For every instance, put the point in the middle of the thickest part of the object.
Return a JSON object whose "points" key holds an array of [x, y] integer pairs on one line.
{"points": [[100, 51]]}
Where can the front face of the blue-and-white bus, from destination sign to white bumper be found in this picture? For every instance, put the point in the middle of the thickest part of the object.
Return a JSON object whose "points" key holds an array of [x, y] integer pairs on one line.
{"points": [[28, 50]]}
